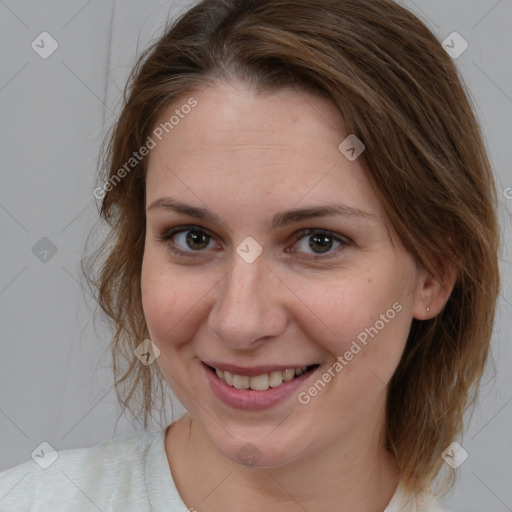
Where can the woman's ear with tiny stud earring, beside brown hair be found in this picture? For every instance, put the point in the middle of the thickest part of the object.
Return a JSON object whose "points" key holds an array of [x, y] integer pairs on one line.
{"points": [[432, 294]]}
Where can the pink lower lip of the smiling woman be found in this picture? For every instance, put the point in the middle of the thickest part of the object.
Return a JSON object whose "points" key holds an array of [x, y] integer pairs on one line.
{"points": [[251, 400]]}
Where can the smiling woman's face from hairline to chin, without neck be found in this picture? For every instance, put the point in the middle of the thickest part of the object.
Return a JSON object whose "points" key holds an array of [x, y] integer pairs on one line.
{"points": [[256, 290]]}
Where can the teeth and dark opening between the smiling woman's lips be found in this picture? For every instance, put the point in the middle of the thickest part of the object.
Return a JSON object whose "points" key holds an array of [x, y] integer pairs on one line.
{"points": [[261, 382]]}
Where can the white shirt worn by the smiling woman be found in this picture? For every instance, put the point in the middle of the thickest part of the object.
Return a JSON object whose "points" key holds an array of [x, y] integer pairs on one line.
{"points": [[125, 474]]}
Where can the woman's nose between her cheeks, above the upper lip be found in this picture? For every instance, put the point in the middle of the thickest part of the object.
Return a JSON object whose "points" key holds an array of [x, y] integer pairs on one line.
{"points": [[249, 308]]}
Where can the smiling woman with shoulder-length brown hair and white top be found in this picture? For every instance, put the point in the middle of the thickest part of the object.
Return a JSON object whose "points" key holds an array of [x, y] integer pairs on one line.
{"points": [[327, 375]]}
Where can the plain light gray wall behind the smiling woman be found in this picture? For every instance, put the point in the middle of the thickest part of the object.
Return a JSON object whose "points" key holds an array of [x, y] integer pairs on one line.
{"points": [[55, 376]]}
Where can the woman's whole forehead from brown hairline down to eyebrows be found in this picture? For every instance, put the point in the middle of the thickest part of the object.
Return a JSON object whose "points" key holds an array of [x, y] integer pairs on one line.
{"points": [[240, 144]]}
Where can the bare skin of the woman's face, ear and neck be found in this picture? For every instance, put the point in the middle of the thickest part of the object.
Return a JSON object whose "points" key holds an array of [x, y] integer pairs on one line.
{"points": [[247, 156]]}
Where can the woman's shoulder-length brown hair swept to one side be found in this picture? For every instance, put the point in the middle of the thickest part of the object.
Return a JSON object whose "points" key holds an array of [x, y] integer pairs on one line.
{"points": [[400, 93]]}
